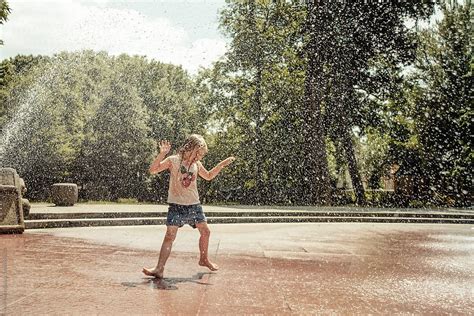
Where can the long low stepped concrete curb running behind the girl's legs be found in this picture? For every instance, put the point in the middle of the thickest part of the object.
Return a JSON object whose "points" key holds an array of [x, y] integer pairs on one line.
{"points": [[63, 220]]}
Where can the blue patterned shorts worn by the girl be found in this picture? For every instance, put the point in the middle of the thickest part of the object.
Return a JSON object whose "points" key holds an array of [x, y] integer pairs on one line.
{"points": [[179, 215]]}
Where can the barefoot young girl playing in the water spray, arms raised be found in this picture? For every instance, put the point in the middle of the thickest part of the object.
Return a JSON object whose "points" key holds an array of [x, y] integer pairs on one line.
{"points": [[183, 197]]}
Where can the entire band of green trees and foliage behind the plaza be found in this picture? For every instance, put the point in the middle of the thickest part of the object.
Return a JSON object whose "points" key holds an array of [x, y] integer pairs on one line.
{"points": [[384, 93]]}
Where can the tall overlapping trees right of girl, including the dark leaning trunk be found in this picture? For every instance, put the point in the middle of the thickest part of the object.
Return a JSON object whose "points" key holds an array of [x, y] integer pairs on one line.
{"points": [[326, 50]]}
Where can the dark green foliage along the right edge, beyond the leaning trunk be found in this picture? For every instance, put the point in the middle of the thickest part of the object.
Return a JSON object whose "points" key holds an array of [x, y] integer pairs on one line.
{"points": [[427, 113]]}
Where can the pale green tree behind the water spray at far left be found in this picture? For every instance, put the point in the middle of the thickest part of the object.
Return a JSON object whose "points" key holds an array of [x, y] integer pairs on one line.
{"points": [[31, 141]]}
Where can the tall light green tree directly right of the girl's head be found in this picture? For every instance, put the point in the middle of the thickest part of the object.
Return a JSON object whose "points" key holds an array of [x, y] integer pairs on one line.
{"points": [[256, 89]]}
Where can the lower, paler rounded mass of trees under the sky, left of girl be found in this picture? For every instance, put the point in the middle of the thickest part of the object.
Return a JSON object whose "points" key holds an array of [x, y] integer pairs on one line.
{"points": [[89, 118]]}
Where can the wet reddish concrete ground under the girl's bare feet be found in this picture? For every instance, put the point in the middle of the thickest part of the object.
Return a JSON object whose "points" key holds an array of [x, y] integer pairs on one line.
{"points": [[265, 269]]}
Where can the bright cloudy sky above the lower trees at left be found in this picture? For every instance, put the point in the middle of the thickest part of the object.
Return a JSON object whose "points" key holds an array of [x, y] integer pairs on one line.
{"points": [[181, 32]]}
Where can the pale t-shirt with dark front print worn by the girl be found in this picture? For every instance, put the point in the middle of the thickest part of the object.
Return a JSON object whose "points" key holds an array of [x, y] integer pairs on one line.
{"points": [[183, 182]]}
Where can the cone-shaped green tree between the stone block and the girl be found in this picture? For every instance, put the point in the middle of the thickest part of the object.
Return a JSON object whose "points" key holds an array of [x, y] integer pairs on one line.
{"points": [[118, 151]]}
